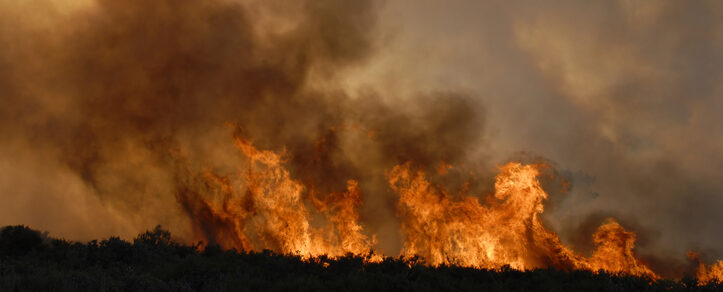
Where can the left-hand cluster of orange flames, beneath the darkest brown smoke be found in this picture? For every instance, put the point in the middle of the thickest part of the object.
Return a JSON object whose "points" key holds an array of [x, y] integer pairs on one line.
{"points": [[268, 211]]}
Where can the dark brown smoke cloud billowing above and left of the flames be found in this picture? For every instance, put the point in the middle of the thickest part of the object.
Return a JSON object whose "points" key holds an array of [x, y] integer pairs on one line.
{"points": [[131, 98]]}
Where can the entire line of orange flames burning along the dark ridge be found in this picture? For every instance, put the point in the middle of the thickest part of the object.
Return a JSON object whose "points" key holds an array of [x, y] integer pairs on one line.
{"points": [[263, 207]]}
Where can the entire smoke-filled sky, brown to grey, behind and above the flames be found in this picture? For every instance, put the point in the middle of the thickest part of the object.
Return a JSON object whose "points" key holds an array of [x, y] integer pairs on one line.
{"points": [[101, 101]]}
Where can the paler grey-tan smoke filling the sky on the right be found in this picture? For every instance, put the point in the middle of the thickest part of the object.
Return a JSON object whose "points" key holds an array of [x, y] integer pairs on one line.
{"points": [[623, 96]]}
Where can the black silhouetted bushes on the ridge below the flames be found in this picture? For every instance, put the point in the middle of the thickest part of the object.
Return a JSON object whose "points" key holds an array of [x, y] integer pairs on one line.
{"points": [[31, 261]]}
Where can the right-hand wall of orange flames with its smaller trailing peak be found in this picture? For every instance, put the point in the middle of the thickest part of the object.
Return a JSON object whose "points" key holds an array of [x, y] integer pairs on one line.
{"points": [[444, 229]]}
